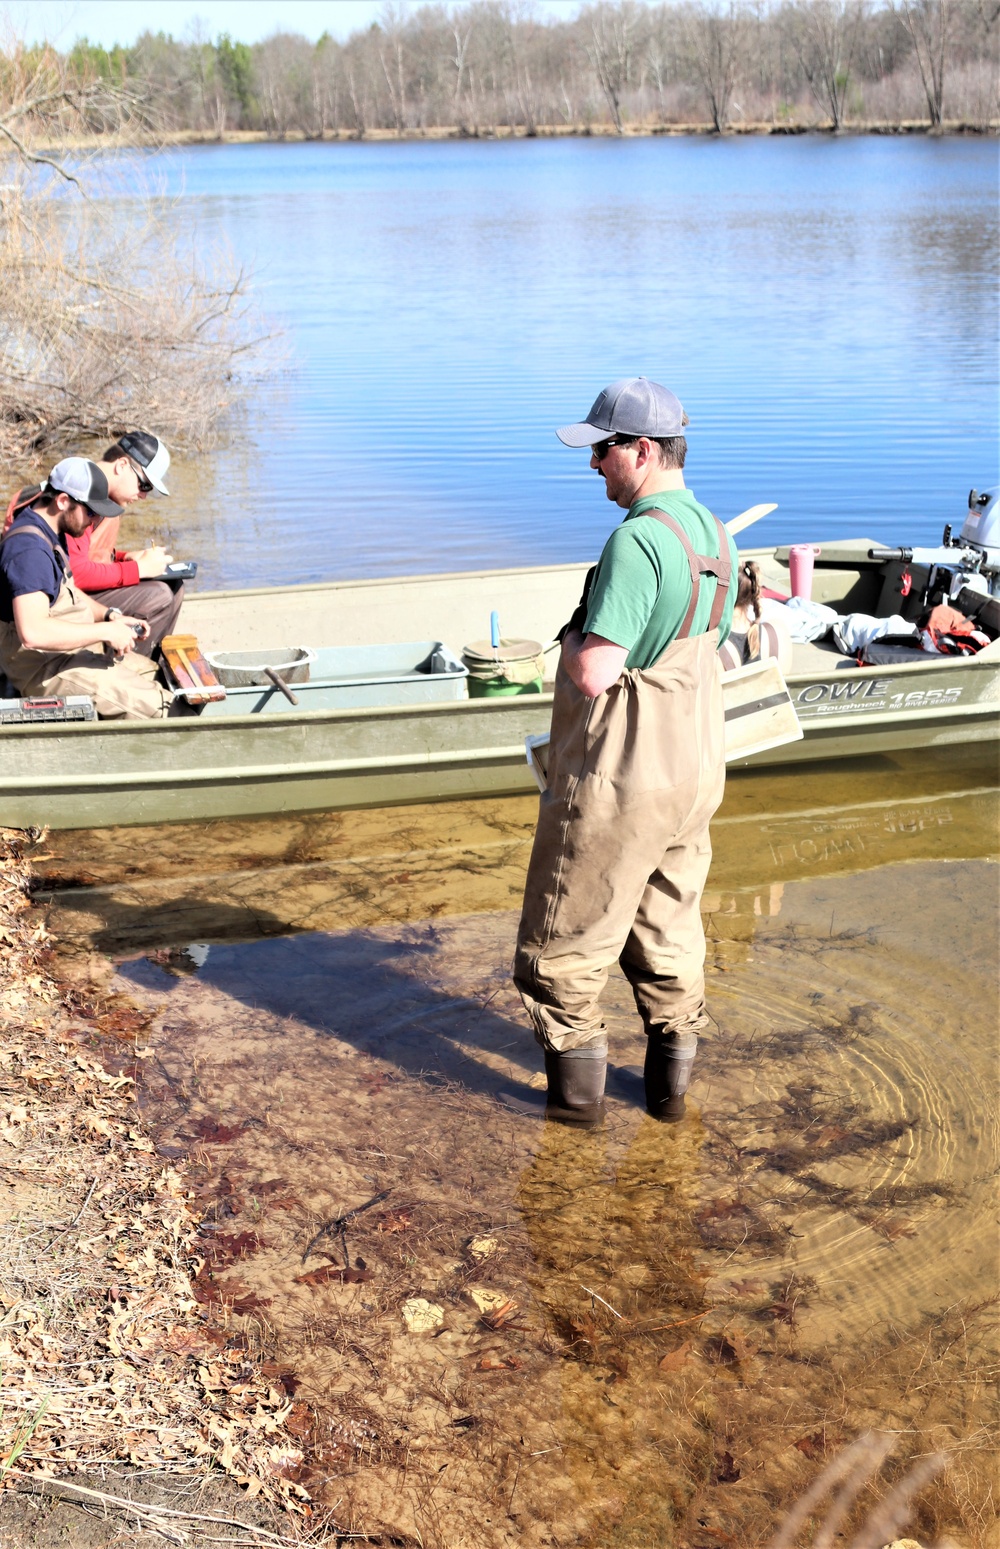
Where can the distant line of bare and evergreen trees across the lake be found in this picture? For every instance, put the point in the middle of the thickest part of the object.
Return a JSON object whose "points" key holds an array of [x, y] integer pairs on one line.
{"points": [[495, 66]]}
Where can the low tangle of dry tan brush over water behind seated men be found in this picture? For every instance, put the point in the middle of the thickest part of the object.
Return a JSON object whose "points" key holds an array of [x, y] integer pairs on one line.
{"points": [[111, 323]]}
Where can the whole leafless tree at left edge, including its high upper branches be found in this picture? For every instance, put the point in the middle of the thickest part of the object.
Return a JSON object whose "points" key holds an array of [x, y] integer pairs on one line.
{"points": [[106, 315]]}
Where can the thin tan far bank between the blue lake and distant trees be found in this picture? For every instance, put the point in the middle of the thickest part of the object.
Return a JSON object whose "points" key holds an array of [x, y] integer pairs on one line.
{"points": [[334, 137]]}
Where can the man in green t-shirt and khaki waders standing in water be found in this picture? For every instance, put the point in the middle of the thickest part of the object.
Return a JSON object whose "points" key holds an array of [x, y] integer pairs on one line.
{"points": [[635, 769]]}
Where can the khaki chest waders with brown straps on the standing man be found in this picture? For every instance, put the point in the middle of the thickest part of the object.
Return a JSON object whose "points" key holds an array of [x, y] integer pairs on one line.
{"points": [[623, 850]]}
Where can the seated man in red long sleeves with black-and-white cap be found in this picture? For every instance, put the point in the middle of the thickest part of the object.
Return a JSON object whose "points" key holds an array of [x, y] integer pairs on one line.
{"points": [[134, 467]]}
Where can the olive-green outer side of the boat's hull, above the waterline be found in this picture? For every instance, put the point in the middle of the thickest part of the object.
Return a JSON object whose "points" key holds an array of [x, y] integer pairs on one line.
{"points": [[81, 775]]}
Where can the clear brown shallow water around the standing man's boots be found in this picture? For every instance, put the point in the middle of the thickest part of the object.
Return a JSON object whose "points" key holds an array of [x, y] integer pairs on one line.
{"points": [[702, 1314]]}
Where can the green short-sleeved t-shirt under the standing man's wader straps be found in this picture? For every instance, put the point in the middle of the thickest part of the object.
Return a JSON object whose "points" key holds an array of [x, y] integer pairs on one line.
{"points": [[642, 589]]}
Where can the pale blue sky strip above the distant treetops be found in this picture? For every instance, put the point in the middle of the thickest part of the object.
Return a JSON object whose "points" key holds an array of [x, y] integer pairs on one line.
{"points": [[109, 22]]}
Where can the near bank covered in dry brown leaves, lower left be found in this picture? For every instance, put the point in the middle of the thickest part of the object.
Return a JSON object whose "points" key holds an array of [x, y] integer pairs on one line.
{"points": [[128, 1381]]}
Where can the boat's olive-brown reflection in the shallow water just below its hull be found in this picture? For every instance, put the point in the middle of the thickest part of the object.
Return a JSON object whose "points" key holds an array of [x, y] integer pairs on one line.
{"points": [[131, 890]]}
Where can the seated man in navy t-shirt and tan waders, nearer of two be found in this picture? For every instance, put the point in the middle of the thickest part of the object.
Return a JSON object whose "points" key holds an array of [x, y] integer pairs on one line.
{"points": [[55, 641]]}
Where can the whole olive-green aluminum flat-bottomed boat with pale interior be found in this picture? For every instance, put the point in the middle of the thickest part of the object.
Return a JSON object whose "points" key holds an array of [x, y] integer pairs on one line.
{"points": [[75, 775]]}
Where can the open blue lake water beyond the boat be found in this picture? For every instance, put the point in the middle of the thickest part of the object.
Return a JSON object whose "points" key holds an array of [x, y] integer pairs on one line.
{"points": [[826, 309]]}
